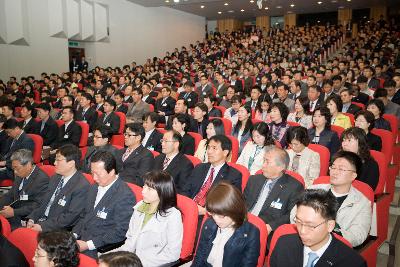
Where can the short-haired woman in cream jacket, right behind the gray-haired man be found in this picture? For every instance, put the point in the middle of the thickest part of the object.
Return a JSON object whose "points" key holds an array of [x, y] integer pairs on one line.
{"points": [[303, 160]]}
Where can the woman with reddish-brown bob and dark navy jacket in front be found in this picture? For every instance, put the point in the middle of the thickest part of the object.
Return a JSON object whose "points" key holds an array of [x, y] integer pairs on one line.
{"points": [[227, 238]]}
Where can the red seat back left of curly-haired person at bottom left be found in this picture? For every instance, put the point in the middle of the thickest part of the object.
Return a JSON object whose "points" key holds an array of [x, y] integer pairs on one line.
{"points": [[25, 240]]}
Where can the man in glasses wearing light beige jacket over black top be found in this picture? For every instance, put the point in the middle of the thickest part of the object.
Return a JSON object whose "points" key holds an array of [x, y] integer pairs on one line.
{"points": [[354, 213]]}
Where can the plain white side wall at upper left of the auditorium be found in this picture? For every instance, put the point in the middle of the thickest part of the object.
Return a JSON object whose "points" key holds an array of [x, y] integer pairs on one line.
{"points": [[136, 33]]}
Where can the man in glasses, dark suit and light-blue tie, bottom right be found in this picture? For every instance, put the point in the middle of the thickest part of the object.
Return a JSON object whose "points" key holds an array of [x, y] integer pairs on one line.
{"points": [[313, 243]]}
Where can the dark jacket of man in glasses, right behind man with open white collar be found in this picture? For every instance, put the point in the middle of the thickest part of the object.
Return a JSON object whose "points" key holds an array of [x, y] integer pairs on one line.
{"points": [[139, 162]]}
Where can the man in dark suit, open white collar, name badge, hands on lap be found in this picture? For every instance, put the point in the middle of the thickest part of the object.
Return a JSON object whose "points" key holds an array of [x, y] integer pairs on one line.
{"points": [[108, 210]]}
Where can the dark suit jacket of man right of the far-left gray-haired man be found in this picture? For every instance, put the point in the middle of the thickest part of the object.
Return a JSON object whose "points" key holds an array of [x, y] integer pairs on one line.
{"points": [[74, 193]]}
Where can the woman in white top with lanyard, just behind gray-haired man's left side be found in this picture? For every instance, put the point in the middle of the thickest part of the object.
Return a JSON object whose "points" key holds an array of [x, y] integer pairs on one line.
{"points": [[252, 156]]}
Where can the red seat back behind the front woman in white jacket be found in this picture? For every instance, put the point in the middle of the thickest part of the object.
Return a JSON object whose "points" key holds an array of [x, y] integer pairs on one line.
{"points": [[190, 217]]}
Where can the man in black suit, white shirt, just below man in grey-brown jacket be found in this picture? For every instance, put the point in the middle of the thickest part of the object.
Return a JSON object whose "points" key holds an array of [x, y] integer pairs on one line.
{"points": [[152, 137]]}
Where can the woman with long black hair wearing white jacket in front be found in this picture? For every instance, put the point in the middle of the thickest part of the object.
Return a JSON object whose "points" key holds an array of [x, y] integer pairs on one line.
{"points": [[155, 230]]}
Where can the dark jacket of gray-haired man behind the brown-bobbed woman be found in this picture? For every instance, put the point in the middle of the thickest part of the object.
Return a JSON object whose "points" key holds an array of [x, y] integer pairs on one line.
{"points": [[285, 191]]}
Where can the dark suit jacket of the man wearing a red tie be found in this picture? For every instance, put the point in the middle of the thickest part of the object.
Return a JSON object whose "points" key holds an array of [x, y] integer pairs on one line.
{"points": [[198, 176]]}
